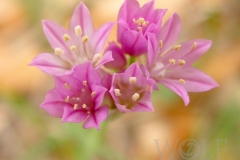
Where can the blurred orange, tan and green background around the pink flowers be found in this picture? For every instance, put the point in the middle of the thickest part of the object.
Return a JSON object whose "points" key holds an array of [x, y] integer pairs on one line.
{"points": [[212, 119]]}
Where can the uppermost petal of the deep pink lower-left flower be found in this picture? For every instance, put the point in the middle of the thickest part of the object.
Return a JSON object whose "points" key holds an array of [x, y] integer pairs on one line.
{"points": [[86, 72]]}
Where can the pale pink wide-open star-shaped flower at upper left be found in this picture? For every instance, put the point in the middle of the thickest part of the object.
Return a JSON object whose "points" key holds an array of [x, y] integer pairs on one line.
{"points": [[79, 44]]}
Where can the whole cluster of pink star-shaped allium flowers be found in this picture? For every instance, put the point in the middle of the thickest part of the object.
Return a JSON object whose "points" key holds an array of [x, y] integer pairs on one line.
{"points": [[90, 80]]}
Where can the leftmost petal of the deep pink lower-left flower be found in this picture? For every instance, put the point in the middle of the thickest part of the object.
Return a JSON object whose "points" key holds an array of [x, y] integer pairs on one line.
{"points": [[53, 103]]}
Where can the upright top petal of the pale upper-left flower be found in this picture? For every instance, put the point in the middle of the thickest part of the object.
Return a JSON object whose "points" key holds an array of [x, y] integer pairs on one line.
{"points": [[81, 16]]}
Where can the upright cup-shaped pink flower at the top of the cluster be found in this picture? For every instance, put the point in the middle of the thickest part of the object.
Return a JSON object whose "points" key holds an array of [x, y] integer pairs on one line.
{"points": [[134, 23]]}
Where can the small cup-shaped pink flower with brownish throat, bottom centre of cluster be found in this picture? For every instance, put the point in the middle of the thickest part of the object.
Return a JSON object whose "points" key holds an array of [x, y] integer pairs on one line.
{"points": [[132, 91]]}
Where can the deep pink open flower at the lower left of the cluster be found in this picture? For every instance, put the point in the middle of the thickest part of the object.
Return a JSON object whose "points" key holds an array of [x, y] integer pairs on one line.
{"points": [[78, 97]]}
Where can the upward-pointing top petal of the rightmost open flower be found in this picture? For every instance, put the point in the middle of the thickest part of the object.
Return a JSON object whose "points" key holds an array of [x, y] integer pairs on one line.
{"points": [[169, 32]]}
